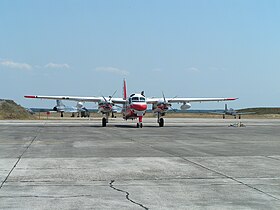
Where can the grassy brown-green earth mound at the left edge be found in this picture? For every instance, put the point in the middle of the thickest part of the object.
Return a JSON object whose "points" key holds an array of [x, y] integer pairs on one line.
{"points": [[9, 110]]}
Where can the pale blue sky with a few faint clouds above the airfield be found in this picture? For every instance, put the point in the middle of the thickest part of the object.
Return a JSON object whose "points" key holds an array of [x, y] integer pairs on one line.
{"points": [[188, 48]]}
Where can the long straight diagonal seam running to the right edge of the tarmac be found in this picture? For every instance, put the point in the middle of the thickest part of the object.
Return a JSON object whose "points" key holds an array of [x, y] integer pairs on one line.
{"points": [[202, 166]]}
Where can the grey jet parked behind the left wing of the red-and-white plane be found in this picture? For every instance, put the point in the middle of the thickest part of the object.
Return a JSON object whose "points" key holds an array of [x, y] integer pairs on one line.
{"points": [[79, 108]]}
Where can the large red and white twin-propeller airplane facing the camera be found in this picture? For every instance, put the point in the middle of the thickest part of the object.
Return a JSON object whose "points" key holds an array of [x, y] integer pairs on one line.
{"points": [[134, 106]]}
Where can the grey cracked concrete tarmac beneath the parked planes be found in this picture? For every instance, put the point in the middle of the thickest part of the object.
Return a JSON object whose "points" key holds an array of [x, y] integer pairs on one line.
{"points": [[188, 164]]}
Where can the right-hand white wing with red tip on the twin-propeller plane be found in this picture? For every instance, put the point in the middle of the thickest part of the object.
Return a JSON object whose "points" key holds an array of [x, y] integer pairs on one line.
{"points": [[187, 100]]}
